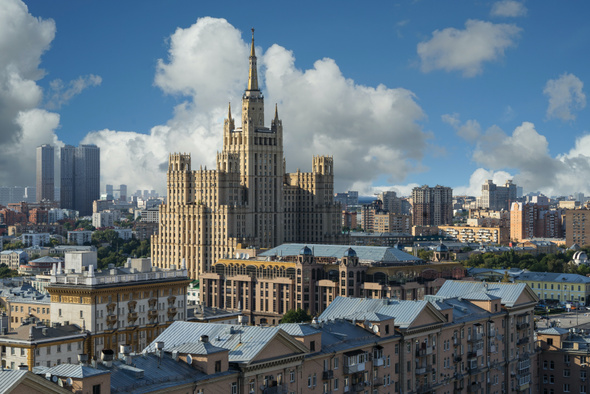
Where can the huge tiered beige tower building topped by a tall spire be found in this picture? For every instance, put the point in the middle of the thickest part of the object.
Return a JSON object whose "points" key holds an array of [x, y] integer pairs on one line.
{"points": [[249, 199]]}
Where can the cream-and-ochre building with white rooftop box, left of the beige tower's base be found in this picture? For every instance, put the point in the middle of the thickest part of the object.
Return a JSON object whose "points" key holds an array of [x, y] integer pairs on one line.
{"points": [[119, 305]]}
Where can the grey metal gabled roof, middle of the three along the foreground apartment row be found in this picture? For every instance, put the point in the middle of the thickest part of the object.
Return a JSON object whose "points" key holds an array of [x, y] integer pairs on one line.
{"points": [[404, 312]]}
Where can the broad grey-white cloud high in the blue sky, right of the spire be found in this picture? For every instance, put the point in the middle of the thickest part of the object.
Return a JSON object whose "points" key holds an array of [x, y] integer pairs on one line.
{"points": [[466, 50]]}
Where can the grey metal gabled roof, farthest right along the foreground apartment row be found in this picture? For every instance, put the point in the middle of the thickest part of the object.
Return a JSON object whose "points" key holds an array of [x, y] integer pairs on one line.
{"points": [[507, 292]]}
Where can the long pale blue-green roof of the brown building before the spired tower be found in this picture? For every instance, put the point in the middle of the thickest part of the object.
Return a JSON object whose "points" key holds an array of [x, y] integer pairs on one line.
{"points": [[365, 253]]}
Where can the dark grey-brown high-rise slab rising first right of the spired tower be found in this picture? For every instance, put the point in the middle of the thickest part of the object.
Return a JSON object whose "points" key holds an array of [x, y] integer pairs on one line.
{"points": [[432, 206]]}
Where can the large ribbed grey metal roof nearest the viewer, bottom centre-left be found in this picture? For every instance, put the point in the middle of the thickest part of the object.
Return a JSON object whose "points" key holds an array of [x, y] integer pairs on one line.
{"points": [[243, 342]]}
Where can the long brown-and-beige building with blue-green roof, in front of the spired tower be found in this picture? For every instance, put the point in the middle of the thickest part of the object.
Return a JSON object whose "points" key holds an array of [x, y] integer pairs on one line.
{"points": [[267, 288]]}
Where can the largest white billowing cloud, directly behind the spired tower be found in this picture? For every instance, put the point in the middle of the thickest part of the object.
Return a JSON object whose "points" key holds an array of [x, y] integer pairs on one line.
{"points": [[369, 130]]}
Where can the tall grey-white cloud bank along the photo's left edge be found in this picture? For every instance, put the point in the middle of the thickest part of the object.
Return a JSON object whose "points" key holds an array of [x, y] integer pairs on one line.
{"points": [[23, 40]]}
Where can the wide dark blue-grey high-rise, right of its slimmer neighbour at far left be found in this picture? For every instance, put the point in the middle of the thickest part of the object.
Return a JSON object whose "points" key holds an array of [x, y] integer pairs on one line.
{"points": [[80, 177]]}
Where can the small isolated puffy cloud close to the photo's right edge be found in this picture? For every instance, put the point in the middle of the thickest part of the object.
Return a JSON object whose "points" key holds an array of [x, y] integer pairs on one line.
{"points": [[565, 96]]}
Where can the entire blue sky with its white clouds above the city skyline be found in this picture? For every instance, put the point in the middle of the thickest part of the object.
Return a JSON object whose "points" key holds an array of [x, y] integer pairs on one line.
{"points": [[401, 93]]}
